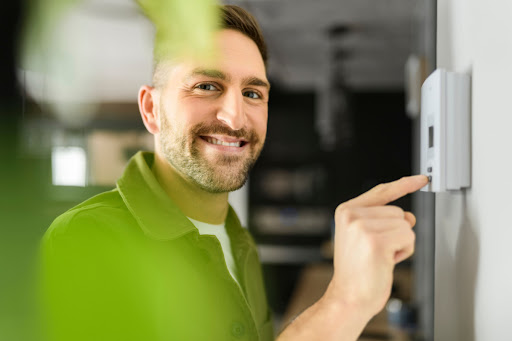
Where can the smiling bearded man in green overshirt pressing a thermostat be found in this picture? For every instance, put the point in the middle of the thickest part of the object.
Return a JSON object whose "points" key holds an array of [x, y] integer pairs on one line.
{"points": [[163, 256]]}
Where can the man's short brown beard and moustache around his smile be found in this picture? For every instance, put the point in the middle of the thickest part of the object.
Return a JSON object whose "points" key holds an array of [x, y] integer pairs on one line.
{"points": [[219, 174]]}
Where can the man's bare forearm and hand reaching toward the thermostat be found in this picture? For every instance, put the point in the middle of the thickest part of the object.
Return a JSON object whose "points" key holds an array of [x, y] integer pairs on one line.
{"points": [[370, 239]]}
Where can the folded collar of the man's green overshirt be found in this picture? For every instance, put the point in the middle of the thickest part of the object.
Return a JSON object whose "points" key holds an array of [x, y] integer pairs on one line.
{"points": [[157, 215]]}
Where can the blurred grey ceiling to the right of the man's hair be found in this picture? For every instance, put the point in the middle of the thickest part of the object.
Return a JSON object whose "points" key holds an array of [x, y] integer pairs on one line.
{"points": [[375, 44]]}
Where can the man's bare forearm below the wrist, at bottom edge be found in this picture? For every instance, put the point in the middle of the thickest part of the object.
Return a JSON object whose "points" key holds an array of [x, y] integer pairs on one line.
{"points": [[327, 320]]}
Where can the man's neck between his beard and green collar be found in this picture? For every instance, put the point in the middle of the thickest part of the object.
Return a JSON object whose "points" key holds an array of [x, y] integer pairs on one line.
{"points": [[194, 202]]}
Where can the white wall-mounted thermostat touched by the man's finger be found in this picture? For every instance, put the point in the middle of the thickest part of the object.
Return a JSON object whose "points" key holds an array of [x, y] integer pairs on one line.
{"points": [[445, 131]]}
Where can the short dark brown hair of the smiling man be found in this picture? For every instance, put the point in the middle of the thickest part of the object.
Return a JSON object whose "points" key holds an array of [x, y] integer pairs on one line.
{"points": [[231, 17]]}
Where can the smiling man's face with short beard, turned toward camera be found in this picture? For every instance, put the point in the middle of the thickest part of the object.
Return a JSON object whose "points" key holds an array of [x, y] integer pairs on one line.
{"points": [[213, 117]]}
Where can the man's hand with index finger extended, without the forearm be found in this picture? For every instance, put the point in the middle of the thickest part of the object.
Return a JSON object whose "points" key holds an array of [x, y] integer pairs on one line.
{"points": [[370, 239]]}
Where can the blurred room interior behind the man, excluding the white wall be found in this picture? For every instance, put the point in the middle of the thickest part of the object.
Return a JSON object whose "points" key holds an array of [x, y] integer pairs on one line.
{"points": [[343, 117]]}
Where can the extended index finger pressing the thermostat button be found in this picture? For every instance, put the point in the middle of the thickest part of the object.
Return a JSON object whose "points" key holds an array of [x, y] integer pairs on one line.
{"points": [[385, 193]]}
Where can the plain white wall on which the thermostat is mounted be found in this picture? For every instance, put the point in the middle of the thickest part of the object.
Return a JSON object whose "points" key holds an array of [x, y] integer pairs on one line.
{"points": [[473, 280]]}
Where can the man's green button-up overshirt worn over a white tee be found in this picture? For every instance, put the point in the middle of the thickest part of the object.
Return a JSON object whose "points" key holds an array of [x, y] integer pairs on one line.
{"points": [[128, 265]]}
